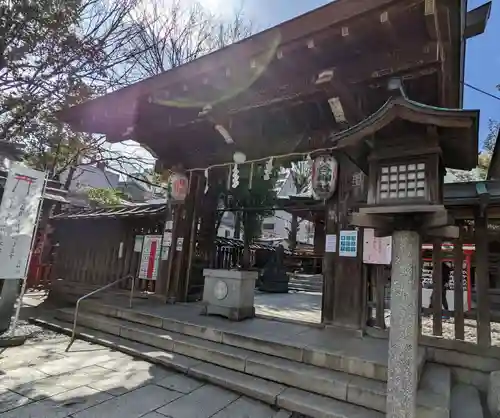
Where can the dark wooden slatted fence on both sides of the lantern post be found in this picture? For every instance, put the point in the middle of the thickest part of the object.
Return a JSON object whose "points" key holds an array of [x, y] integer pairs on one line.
{"points": [[467, 321]]}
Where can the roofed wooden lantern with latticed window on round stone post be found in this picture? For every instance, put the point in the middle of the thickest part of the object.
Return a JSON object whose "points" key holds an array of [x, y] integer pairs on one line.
{"points": [[404, 148]]}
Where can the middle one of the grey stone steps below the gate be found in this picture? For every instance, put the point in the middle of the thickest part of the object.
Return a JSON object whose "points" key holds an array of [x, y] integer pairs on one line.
{"points": [[338, 385]]}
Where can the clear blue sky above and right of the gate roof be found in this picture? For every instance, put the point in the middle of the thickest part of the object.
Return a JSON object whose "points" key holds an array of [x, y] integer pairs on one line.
{"points": [[482, 57]]}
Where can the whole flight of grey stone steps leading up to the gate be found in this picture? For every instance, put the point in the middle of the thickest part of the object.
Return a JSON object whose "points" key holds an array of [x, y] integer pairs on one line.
{"points": [[314, 382]]}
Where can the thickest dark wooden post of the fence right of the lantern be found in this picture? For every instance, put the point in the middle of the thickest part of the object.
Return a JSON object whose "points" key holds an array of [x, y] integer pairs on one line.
{"points": [[482, 280]]}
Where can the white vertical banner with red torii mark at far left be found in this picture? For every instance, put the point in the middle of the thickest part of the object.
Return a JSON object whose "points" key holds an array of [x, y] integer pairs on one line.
{"points": [[18, 219]]}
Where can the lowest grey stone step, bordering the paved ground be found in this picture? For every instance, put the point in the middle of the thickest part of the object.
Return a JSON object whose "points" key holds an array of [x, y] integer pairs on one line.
{"points": [[293, 399]]}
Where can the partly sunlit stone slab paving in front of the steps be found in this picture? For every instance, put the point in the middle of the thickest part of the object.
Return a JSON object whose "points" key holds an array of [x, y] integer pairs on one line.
{"points": [[40, 380]]}
